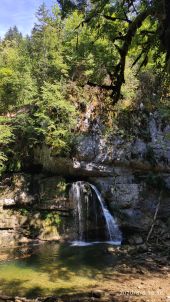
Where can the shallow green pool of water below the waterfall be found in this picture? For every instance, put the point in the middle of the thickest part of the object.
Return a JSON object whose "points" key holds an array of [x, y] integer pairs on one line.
{"points": [[55, 269]]}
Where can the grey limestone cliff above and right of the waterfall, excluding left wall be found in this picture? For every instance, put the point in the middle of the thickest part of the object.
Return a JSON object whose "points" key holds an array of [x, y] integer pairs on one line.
{"points": [[130, 173]]}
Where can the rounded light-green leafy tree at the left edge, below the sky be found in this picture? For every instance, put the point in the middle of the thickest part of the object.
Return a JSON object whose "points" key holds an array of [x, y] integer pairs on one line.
{"points": [[17, 86]]}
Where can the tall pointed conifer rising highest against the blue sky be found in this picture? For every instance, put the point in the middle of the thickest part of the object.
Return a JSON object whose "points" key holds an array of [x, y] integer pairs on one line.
{"points": [[46, 48]]}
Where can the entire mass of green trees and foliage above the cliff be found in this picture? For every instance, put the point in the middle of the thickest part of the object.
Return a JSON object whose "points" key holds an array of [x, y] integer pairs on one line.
{"points": [[111, 54]]}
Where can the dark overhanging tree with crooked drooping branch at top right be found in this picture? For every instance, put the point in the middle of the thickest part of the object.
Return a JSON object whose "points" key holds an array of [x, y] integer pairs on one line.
{"points": [[148, 21]]}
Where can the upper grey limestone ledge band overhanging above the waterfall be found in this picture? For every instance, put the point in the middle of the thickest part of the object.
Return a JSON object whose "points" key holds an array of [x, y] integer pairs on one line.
{"points": [[97, 154]]}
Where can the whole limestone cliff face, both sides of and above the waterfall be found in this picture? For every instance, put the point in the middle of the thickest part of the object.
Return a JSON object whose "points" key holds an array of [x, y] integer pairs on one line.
{"points": [[130, 172]]}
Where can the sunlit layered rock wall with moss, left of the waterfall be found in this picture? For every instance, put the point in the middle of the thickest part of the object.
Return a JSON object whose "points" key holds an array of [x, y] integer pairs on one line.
{"points": [[33, 208]]}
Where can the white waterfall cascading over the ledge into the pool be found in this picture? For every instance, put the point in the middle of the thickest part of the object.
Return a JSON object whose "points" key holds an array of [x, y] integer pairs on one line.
{"points": [[93, 221]]}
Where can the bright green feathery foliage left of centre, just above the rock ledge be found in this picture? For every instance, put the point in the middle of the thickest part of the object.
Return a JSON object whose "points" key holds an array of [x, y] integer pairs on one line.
{"points": [[55, 117]]}
